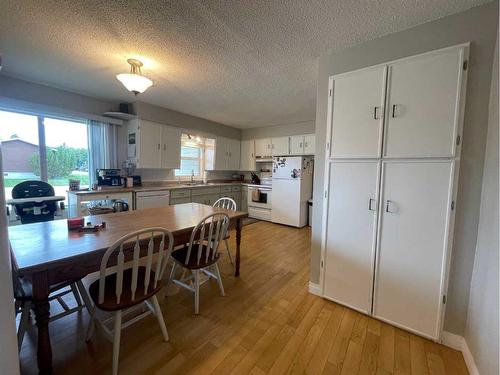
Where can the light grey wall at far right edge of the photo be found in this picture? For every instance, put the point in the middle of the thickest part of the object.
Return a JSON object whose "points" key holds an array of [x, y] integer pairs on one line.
{"points": [[481, 332]]}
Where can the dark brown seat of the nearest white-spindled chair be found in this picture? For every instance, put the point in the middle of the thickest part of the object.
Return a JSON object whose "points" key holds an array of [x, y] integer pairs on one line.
{"points": [[126, 301]]}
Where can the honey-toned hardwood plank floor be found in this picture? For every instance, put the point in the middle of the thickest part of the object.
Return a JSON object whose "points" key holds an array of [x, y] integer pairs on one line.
{"points": [[267, 323]]}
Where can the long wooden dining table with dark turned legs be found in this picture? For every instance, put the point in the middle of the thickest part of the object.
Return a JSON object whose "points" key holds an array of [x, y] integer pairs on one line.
{"points": [[48, 253]]}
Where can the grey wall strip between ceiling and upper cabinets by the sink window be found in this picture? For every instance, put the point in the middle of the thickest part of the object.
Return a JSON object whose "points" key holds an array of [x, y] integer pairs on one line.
{"points": [[169, 117]]}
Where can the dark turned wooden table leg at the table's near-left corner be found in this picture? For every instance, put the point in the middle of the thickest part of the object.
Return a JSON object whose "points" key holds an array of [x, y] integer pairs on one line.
{"points": [[41, 306]]}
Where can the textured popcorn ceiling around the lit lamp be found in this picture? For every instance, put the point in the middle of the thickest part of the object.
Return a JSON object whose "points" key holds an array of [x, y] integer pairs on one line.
{"points": [[244, 63]]}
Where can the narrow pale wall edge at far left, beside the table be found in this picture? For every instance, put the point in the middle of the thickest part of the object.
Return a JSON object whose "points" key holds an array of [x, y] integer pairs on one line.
{"points": [[9, 360]]}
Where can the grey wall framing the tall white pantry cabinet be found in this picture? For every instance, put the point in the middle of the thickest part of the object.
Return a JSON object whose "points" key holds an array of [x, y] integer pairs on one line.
{"points": [[479, 26]]}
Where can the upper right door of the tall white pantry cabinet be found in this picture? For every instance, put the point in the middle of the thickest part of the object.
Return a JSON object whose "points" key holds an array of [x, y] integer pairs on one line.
{"points": [[423, 105]]}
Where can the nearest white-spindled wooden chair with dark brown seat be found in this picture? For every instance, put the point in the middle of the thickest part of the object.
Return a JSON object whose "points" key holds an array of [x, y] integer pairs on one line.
{"points": [[123, 290]]}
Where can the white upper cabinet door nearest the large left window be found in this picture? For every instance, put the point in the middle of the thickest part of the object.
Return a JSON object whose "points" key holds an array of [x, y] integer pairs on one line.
{"points": [[150, 145]]}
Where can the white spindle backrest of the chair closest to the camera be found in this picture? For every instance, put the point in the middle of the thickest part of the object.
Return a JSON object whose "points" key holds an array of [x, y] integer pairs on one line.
{"points": [[140, 237]]}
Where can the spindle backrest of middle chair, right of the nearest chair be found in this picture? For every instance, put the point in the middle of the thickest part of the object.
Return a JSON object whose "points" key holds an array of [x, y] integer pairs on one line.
{"points": [[206, 237]]}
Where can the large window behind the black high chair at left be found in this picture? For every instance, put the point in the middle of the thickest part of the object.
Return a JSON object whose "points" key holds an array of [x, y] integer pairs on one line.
{"points": [[43, 148]]}
